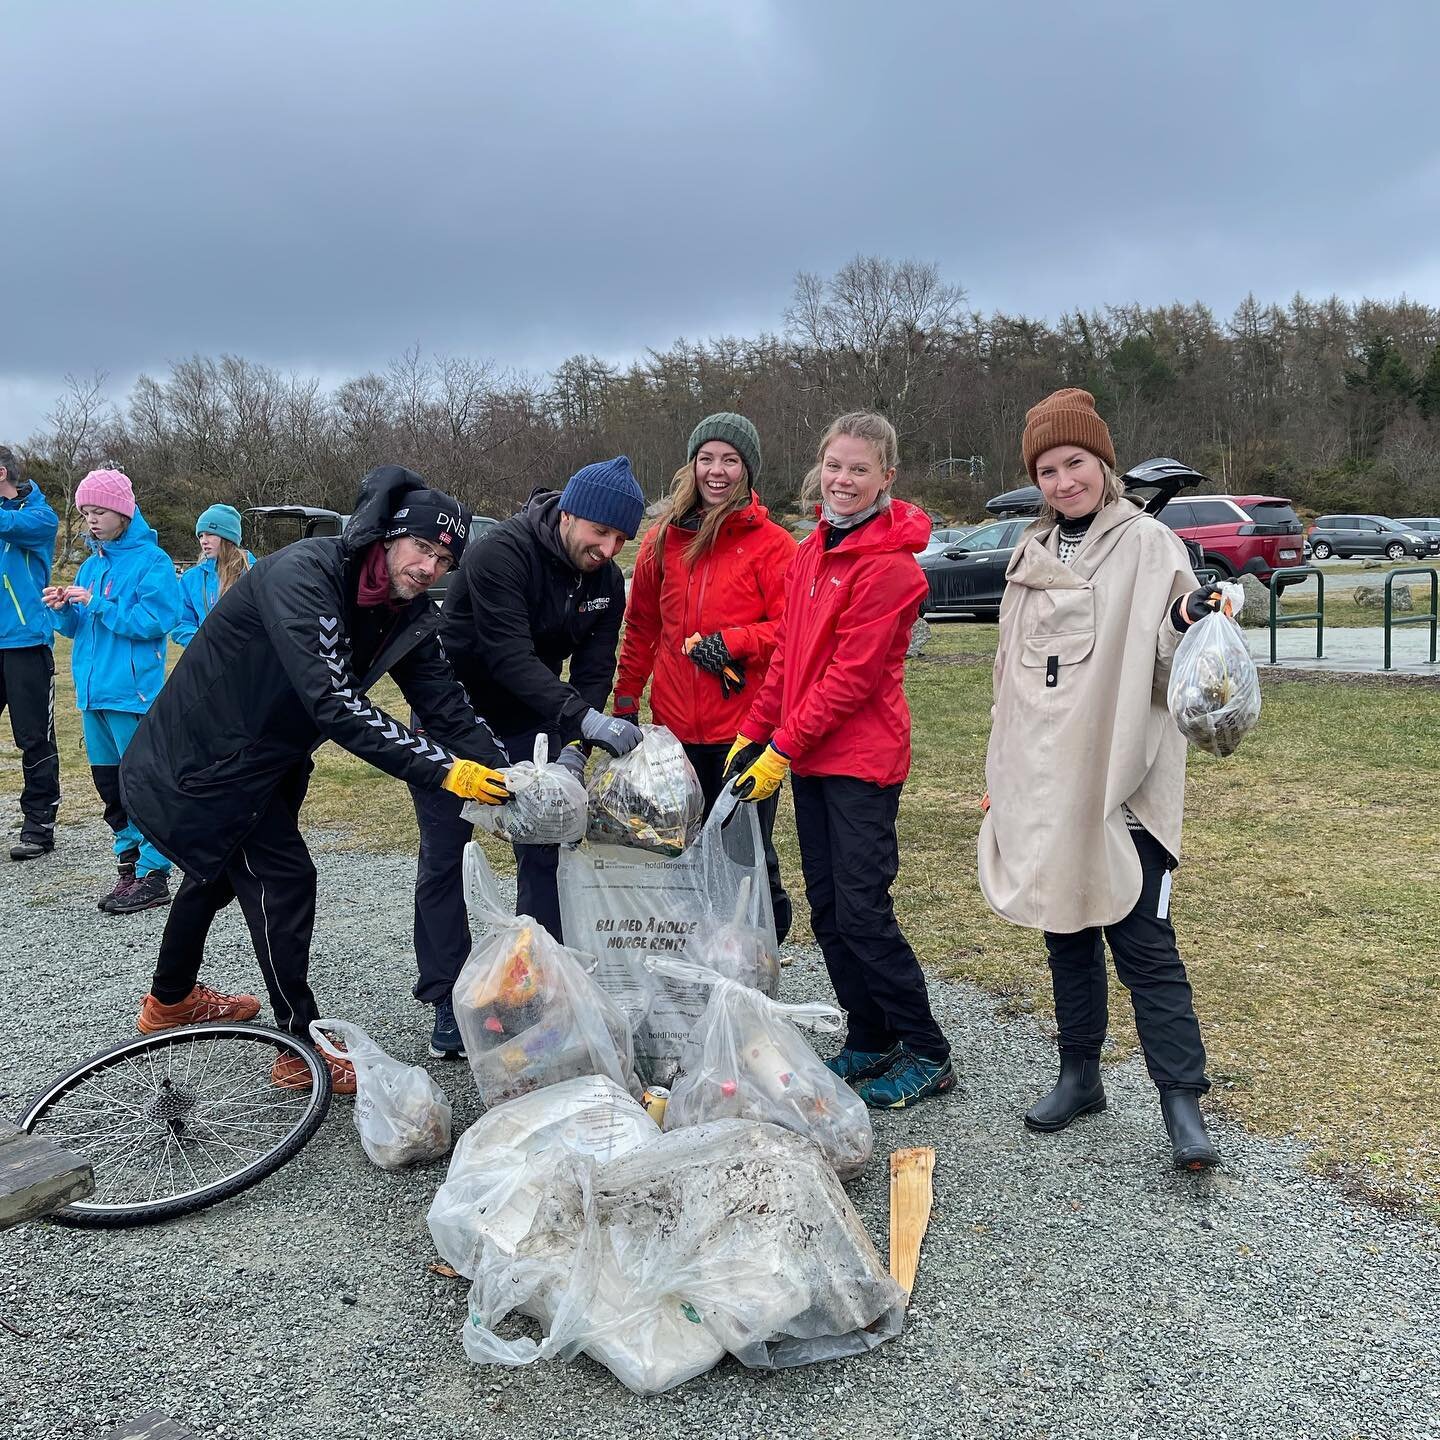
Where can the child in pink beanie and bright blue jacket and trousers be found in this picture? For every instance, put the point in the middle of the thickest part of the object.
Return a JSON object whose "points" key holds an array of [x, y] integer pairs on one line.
{"points": [[123, 604]]}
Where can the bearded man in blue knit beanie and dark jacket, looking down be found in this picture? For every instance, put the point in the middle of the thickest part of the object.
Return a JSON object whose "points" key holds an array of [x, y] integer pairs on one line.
{"points": [[536, 593]]}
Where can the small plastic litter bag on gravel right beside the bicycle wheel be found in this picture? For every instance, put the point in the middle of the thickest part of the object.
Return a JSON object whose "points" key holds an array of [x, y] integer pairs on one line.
{"points": [[401, 1112]]}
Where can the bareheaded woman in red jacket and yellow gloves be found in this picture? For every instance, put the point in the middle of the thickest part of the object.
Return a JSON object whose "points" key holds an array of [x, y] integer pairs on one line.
{"points": [[833, 711]]}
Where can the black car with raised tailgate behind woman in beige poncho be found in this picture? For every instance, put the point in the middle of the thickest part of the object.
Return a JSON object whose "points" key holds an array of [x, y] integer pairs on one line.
{"points": [[968, 578]]}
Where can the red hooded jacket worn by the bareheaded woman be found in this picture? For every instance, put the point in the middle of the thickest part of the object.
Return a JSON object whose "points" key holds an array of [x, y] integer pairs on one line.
{"points": [[834, 699]]}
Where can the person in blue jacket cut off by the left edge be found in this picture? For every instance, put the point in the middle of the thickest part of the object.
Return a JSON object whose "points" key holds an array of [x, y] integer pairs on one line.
{"points": [[28, 528]]}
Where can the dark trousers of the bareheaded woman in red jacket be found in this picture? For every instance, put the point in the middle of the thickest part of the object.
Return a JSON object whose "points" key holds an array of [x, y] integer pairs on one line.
{"points": [[852, 858]]}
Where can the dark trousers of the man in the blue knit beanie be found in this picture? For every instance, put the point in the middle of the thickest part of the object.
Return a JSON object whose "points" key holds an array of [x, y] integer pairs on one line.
{"points": [[441, 925]]}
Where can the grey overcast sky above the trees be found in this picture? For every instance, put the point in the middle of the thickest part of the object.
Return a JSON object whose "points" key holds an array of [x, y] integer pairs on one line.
{"points": [[322, 184]]}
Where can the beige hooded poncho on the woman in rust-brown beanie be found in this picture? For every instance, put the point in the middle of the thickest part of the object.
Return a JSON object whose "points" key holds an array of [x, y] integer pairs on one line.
{"points": [[1081, 728]]}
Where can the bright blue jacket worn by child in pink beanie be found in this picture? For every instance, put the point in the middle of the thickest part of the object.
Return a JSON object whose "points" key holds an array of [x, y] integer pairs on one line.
{"points": [[120, 637]]}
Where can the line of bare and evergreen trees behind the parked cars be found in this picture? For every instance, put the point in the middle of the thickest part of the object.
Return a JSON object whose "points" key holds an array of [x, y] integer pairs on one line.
{"points": [[1336, 405]]}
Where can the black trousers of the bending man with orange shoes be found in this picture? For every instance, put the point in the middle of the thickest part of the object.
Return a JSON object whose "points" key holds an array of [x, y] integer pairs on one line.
{"points": [[274, 879]]}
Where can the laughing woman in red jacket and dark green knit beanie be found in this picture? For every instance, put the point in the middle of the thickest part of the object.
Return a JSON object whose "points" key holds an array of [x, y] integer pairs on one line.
{"points": [[705, 603]]}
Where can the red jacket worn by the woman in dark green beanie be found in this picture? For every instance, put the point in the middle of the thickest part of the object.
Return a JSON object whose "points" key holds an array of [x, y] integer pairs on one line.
{"points": [[737, 590]]}
